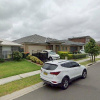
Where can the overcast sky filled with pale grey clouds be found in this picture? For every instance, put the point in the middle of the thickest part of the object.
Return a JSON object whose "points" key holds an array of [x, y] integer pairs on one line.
{"points": [[60, 19]]}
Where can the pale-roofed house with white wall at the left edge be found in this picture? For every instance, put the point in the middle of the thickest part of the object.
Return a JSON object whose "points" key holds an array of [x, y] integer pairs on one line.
{"points": [[7, 48]]}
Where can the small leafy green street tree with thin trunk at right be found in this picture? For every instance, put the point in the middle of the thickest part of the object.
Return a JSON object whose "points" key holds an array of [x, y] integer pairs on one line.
{"points": [[92, 48]]}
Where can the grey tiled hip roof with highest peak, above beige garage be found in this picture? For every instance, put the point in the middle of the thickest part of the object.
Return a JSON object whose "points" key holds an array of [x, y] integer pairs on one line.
{"points": [[36, 39]]}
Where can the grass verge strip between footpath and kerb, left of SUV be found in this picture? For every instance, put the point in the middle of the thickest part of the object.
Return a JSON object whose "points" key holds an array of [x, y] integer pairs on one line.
{"points": [[19, 84]]}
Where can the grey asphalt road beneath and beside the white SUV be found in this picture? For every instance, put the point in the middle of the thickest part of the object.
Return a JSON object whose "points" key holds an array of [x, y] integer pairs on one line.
{"points": [[81, 89]]}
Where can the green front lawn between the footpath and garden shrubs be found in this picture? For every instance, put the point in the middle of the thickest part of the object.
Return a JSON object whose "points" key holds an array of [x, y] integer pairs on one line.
{"points": [[11, 68]]}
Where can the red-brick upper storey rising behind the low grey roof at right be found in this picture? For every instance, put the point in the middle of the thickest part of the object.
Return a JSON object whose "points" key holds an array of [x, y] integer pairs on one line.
{"points": [[83, 39]]}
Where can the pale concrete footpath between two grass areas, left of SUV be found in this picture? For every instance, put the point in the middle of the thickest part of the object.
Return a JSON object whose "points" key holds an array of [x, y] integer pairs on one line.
{"points": [[17, 77]]}
